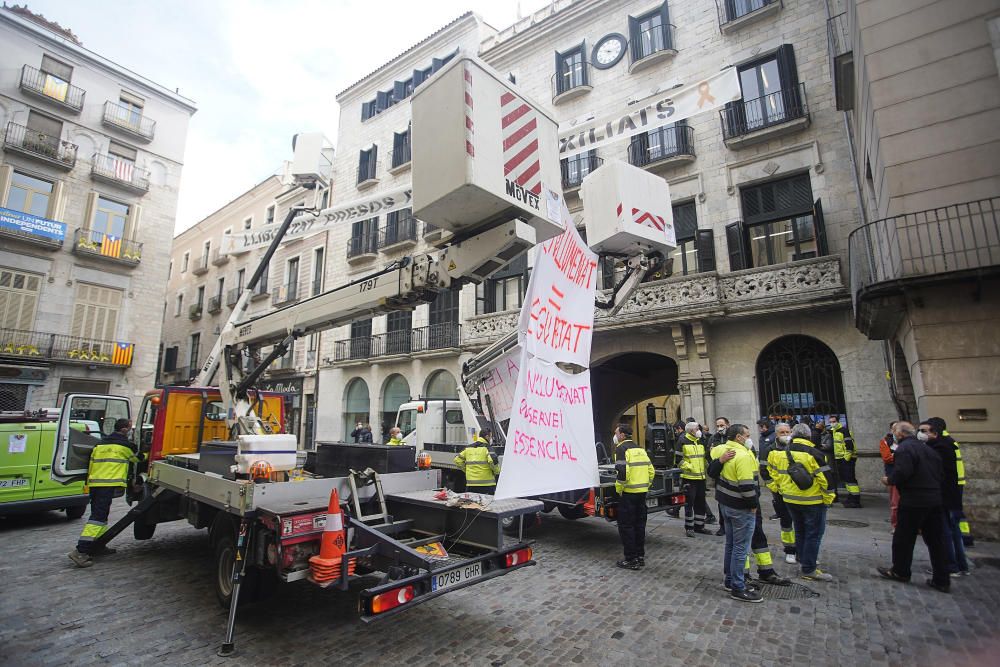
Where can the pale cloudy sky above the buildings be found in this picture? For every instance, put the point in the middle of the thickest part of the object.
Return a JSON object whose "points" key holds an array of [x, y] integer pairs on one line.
{"points": [[258, 71]]}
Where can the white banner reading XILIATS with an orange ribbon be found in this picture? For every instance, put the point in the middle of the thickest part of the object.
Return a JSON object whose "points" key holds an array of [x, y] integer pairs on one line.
{"points": [[651, 113]]}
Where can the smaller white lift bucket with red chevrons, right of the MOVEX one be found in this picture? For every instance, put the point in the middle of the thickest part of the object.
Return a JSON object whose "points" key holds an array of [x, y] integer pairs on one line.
{"points": [[627, 210]]}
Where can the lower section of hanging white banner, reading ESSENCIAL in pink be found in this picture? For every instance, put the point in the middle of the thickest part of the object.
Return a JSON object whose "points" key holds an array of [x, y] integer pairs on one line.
{"points": [[550, 439]]}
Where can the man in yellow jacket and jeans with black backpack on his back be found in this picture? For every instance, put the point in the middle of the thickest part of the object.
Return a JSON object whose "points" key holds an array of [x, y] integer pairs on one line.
{"points": [[806, 499]]}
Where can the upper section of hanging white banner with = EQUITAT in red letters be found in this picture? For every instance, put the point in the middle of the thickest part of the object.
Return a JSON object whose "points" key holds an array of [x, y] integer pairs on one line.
{"points": [[557, 319]]}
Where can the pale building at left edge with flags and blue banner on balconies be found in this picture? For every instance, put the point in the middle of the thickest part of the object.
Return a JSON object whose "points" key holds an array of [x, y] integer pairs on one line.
{"points": [[89, 174]]}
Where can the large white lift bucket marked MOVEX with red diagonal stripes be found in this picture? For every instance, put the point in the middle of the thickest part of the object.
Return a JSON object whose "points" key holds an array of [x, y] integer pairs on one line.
{"points": [[483, 153]]}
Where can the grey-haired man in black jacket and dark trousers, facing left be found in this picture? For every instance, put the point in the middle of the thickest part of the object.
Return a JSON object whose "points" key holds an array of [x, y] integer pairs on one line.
{"points": [[917, 474]]}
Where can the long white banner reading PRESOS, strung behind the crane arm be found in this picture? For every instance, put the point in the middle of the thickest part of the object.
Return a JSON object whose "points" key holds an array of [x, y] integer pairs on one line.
{"points": [[309, 224]]}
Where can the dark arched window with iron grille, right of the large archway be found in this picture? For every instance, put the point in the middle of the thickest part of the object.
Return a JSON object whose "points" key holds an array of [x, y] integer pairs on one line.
{"points": [[798, 376]]}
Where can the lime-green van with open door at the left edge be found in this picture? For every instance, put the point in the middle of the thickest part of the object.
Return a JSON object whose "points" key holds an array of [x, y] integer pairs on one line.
{"points": [[29, 478]]}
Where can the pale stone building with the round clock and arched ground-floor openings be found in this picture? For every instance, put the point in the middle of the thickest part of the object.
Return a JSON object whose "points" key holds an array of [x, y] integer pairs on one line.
{"points": [[753, 315]]}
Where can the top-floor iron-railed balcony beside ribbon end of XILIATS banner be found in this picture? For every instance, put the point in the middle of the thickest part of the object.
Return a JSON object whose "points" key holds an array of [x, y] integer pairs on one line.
{"points": [[747, 122]]}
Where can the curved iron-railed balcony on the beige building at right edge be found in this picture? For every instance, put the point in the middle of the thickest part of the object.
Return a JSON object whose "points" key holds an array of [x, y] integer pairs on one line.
{"points": [[890, 258]]}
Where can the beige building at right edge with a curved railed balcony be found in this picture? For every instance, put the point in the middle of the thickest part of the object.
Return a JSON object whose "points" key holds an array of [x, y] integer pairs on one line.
{"points": [[920, 91]]}
